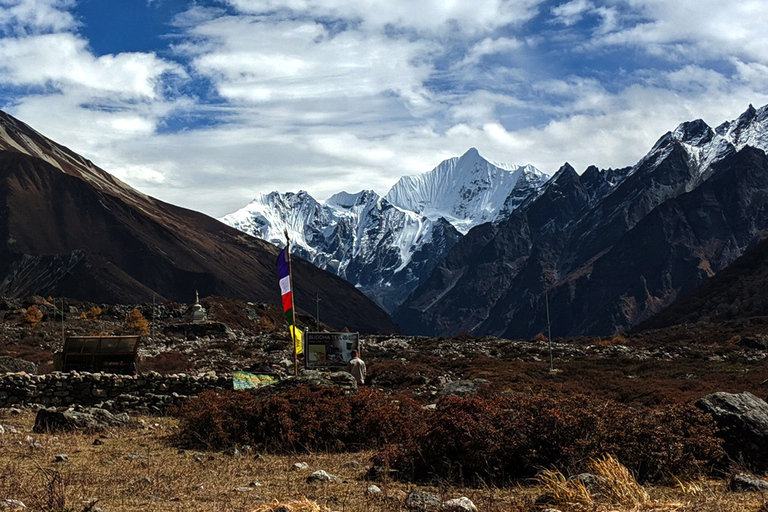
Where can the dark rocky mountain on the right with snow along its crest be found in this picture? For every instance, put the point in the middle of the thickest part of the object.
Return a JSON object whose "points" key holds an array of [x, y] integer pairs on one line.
{"points": [[606, 249]]}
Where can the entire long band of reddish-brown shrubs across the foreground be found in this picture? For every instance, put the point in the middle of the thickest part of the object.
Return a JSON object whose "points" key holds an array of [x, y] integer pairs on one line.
{"points": [[493, 440]]}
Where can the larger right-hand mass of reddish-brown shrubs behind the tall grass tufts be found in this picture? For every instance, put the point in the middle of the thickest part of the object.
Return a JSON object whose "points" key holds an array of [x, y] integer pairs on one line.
{"points": [[497, 440]]}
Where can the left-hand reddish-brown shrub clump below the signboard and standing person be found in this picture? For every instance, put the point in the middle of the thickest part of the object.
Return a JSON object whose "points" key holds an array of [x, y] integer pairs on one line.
{"points": [[298, 420]]}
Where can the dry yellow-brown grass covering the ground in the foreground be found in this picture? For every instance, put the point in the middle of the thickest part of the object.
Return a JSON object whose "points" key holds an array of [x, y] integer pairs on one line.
{"points": [[139, 470]]}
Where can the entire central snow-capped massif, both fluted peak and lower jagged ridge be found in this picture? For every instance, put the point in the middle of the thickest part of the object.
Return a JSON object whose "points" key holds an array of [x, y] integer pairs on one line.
{"points": [[387, 245]]}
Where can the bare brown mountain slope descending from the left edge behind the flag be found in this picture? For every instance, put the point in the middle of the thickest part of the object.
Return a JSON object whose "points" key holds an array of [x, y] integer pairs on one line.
{"points": [[71, 229]]}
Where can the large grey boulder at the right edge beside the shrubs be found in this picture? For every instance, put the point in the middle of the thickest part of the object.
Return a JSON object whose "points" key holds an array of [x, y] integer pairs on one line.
{"points": [[746, 419]]}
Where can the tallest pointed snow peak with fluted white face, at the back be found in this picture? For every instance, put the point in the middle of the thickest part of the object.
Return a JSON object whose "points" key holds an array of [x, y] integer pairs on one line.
{"points": [[467, 190]]}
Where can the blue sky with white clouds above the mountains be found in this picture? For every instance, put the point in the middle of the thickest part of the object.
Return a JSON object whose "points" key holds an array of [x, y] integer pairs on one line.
{"points": [[207, 103]]}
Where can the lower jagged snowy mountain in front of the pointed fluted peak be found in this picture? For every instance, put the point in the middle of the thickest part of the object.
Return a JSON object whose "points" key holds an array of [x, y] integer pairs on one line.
{"points": [[381, 249]]}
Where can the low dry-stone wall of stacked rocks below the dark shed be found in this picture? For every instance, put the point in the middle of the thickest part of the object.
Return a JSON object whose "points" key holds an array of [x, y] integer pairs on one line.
{"points": [[149, 392]]}
